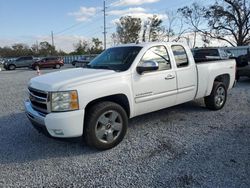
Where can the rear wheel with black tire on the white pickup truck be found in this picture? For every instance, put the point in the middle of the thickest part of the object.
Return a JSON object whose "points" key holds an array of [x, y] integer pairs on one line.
{"points": [[217, 99]]}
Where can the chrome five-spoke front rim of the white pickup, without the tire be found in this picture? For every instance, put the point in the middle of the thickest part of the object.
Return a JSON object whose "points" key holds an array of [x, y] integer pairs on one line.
{"points": [[108, 126]]}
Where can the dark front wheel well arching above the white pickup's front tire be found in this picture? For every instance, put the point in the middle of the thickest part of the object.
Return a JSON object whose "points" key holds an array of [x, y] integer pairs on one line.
{"points": [[120, 99]]}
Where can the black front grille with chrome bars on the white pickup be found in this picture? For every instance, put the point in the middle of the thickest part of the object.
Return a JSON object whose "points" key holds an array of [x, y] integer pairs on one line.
{"points": [[39, 100]]}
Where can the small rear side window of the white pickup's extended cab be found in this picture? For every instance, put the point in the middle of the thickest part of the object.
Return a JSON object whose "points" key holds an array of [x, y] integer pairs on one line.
{"points": [[180, 56]]}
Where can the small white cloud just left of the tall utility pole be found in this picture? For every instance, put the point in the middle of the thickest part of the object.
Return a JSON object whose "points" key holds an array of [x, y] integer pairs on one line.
{"points": [[84, 14]]}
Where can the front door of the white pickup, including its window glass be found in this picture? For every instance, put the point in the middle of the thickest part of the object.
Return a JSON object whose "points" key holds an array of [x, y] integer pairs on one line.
{"points": [[155, 90]]}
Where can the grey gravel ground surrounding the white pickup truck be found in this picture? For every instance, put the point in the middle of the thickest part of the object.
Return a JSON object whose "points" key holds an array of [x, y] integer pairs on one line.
{"points": [[182, 146]]}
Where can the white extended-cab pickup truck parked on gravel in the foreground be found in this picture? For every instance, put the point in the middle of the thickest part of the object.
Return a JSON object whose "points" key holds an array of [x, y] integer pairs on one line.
{"points": [[123, 82]]}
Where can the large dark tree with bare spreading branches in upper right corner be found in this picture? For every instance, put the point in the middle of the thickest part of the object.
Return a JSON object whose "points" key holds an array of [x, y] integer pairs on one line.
{"points": [[230, 18]]}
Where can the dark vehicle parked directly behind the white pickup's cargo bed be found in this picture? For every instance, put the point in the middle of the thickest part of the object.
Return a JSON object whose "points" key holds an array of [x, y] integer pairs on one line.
{"points": [[210, 54]]}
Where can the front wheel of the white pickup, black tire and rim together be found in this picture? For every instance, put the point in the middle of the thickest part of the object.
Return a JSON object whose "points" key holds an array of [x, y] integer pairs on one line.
{"points": [[93, 125]]}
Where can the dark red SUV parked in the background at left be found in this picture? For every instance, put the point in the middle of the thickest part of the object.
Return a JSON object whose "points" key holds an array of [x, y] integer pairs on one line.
{"points": [[48, 62]]}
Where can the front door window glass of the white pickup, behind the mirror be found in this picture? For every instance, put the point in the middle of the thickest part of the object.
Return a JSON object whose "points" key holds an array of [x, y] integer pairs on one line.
{"points": [[158, 54]]}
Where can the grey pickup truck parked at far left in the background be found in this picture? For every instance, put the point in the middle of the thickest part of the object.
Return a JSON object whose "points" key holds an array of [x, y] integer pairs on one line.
{"points": [[20, 62]]}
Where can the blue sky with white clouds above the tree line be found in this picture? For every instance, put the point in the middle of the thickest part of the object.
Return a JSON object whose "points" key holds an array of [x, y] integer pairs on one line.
{"points": [[31, 21]]}
